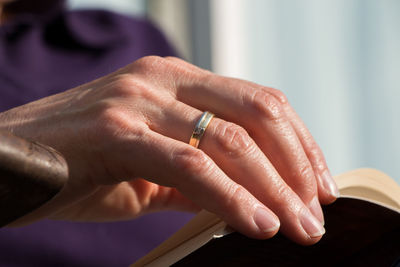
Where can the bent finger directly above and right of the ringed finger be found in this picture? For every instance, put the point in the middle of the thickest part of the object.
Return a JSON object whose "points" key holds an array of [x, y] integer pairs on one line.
{"points": [[262, 115]]}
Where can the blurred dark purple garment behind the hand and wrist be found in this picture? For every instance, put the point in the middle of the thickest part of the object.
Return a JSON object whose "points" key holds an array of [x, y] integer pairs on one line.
{"points": [[43, 54]]}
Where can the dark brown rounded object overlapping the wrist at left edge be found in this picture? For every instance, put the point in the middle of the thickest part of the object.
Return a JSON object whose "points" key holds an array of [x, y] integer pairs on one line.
{"points": [[30, 175]]}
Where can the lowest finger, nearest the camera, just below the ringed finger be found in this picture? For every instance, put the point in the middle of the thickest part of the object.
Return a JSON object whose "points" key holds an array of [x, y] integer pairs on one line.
{"points": [[169, 162]]}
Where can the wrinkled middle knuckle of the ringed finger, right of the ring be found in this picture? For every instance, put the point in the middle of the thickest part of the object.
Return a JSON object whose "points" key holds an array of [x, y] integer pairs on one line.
{"points": [[233, 139]]}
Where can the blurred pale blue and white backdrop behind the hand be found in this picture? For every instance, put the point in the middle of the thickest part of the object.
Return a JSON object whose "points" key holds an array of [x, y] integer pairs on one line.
{"points": [[338, 61]]}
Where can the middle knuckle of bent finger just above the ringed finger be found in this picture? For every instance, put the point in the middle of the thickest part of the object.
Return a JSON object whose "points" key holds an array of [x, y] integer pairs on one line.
{"points": [[267, 106]]}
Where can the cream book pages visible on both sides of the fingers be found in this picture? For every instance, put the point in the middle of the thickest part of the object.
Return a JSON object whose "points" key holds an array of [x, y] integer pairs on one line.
{"points": [[368, 184]]}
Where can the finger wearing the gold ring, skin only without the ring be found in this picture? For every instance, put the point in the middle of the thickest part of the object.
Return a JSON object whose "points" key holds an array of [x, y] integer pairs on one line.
{"points": [[232, 149]]}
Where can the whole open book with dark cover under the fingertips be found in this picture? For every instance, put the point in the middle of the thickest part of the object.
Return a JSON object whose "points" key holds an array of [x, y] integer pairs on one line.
{"points": [[362, 229]]}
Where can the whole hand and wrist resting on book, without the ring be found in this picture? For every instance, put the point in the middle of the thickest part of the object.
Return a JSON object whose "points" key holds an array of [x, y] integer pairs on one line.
{"points": [[125, 138]]}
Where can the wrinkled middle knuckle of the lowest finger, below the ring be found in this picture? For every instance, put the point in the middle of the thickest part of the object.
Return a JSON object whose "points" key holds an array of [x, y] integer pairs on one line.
{"points": [[191, 160]]}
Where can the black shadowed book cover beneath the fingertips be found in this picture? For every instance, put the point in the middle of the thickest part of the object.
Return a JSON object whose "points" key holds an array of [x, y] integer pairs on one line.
{"points": [[359, 233]]}
